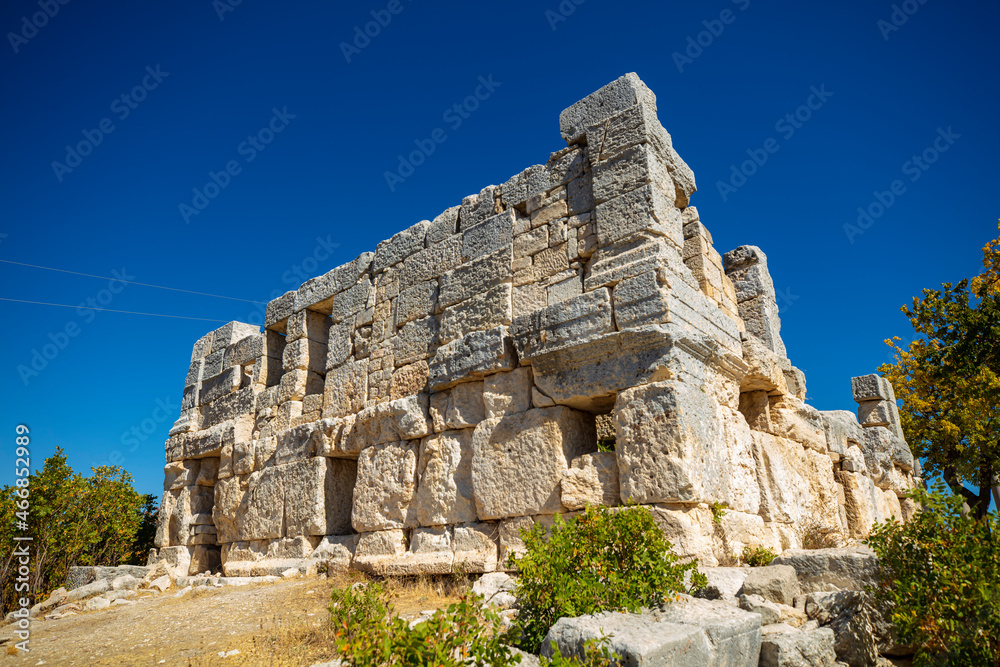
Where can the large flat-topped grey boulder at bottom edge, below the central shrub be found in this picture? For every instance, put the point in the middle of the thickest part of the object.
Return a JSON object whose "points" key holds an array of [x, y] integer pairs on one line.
{"points": [[688, 632]]}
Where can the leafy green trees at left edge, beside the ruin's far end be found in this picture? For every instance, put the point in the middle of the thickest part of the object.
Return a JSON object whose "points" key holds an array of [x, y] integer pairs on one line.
{"points": [[72, 520]]}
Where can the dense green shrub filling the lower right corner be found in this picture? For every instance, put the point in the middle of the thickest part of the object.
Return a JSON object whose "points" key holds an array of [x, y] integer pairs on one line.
{"points": [[940, 574]]}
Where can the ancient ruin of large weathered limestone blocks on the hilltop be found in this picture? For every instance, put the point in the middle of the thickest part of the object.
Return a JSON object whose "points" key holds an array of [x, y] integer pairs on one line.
{"points": [[412, 410]]}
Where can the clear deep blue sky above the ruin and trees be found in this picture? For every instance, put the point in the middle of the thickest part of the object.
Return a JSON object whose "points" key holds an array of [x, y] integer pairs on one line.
{"points": [[321, 181]]}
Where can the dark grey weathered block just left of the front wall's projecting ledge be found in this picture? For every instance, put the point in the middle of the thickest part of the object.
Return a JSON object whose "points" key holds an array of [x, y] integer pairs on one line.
{"points": [[473, 356]]}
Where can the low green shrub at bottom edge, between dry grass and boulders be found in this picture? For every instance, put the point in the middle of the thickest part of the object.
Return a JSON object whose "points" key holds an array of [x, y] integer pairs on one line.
{"points": [[367, 634]]}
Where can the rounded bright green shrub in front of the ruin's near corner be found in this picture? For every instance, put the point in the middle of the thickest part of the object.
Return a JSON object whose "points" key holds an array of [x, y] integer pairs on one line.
{"points": [[599, 561]]}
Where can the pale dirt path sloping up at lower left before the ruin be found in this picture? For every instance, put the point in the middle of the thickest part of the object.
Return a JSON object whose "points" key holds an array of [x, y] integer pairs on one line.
{"points": [[269, 624]]}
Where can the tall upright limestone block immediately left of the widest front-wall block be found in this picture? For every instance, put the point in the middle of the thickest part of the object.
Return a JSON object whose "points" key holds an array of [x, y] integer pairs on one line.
{"points": [[444, 494]]}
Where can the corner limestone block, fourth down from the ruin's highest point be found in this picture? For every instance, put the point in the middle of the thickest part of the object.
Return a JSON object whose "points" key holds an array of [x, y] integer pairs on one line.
{"points": [[650, 209]]}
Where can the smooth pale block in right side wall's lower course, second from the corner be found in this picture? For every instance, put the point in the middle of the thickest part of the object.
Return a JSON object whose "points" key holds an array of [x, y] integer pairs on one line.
{"points": [[783, 477]]}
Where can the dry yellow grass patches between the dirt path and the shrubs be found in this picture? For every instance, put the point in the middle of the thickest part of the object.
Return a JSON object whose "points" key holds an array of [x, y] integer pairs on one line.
{"points": [[284, 642]]}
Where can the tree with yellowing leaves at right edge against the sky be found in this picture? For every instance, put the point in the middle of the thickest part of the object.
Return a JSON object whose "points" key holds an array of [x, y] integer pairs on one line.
{"points": [[949, 382]]}
